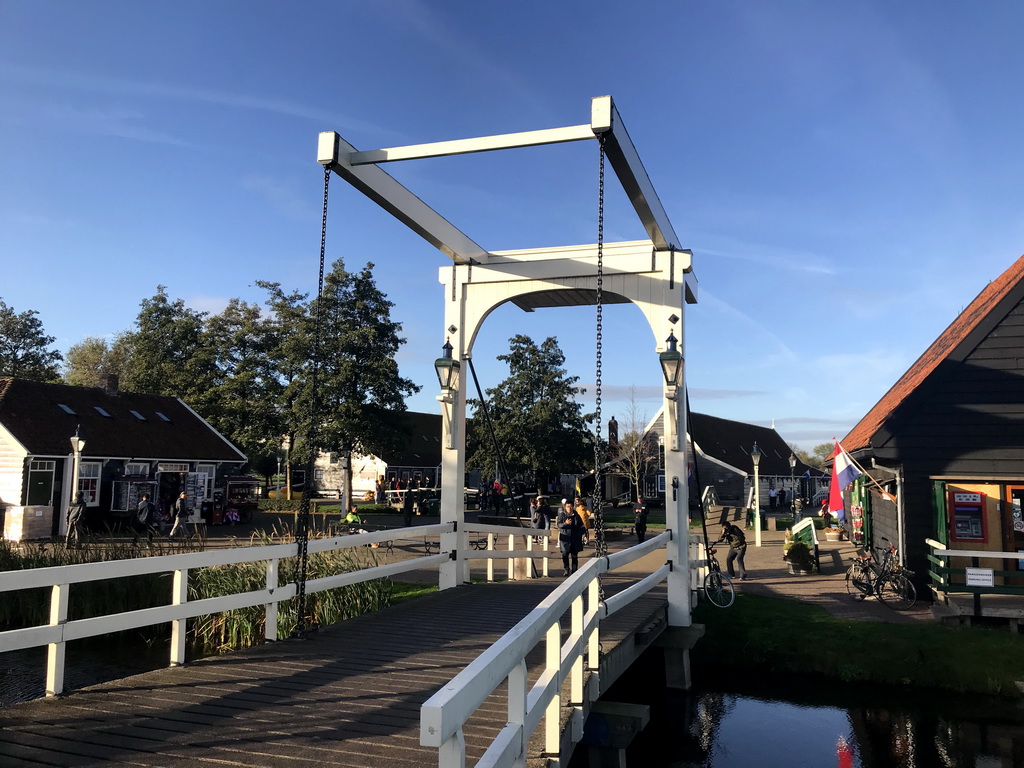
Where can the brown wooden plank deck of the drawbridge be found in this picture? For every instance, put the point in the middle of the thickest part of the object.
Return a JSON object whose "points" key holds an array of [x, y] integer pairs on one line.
{"points": [[348, 696]]}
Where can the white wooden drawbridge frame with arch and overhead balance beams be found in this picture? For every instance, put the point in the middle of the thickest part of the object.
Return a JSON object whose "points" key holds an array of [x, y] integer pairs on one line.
{"points": [[656, 275]]}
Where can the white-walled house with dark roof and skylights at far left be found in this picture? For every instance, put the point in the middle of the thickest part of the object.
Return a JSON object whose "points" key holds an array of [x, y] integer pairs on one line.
{"points": [[134, 444]]}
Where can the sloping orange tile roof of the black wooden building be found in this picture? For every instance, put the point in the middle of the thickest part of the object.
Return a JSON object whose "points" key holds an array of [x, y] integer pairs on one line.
{"points": [[942, 349]]}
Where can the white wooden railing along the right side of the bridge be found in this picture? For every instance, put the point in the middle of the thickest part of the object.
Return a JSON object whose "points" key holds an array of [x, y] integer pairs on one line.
{"points": [[444, 716]]}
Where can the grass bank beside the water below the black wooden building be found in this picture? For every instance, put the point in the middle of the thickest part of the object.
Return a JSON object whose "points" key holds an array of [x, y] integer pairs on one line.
{"points": [[788, 636]]}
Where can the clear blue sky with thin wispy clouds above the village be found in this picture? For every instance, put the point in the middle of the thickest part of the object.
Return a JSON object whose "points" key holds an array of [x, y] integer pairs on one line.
{"points": [[846, 175]]}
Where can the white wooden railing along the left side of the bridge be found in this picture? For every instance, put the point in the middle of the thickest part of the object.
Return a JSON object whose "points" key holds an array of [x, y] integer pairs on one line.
{"points": [[61, 579]]}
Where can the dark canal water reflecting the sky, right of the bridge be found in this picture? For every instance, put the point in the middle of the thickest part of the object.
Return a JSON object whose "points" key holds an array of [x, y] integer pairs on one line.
{"points": [[766, 723]]}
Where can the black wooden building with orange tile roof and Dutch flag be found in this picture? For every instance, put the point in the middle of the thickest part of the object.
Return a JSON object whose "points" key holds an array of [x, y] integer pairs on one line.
{"points": [[947, 442]]}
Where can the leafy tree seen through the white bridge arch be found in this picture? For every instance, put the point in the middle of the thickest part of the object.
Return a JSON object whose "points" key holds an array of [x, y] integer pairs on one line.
{"points": [[540, 428]]}
